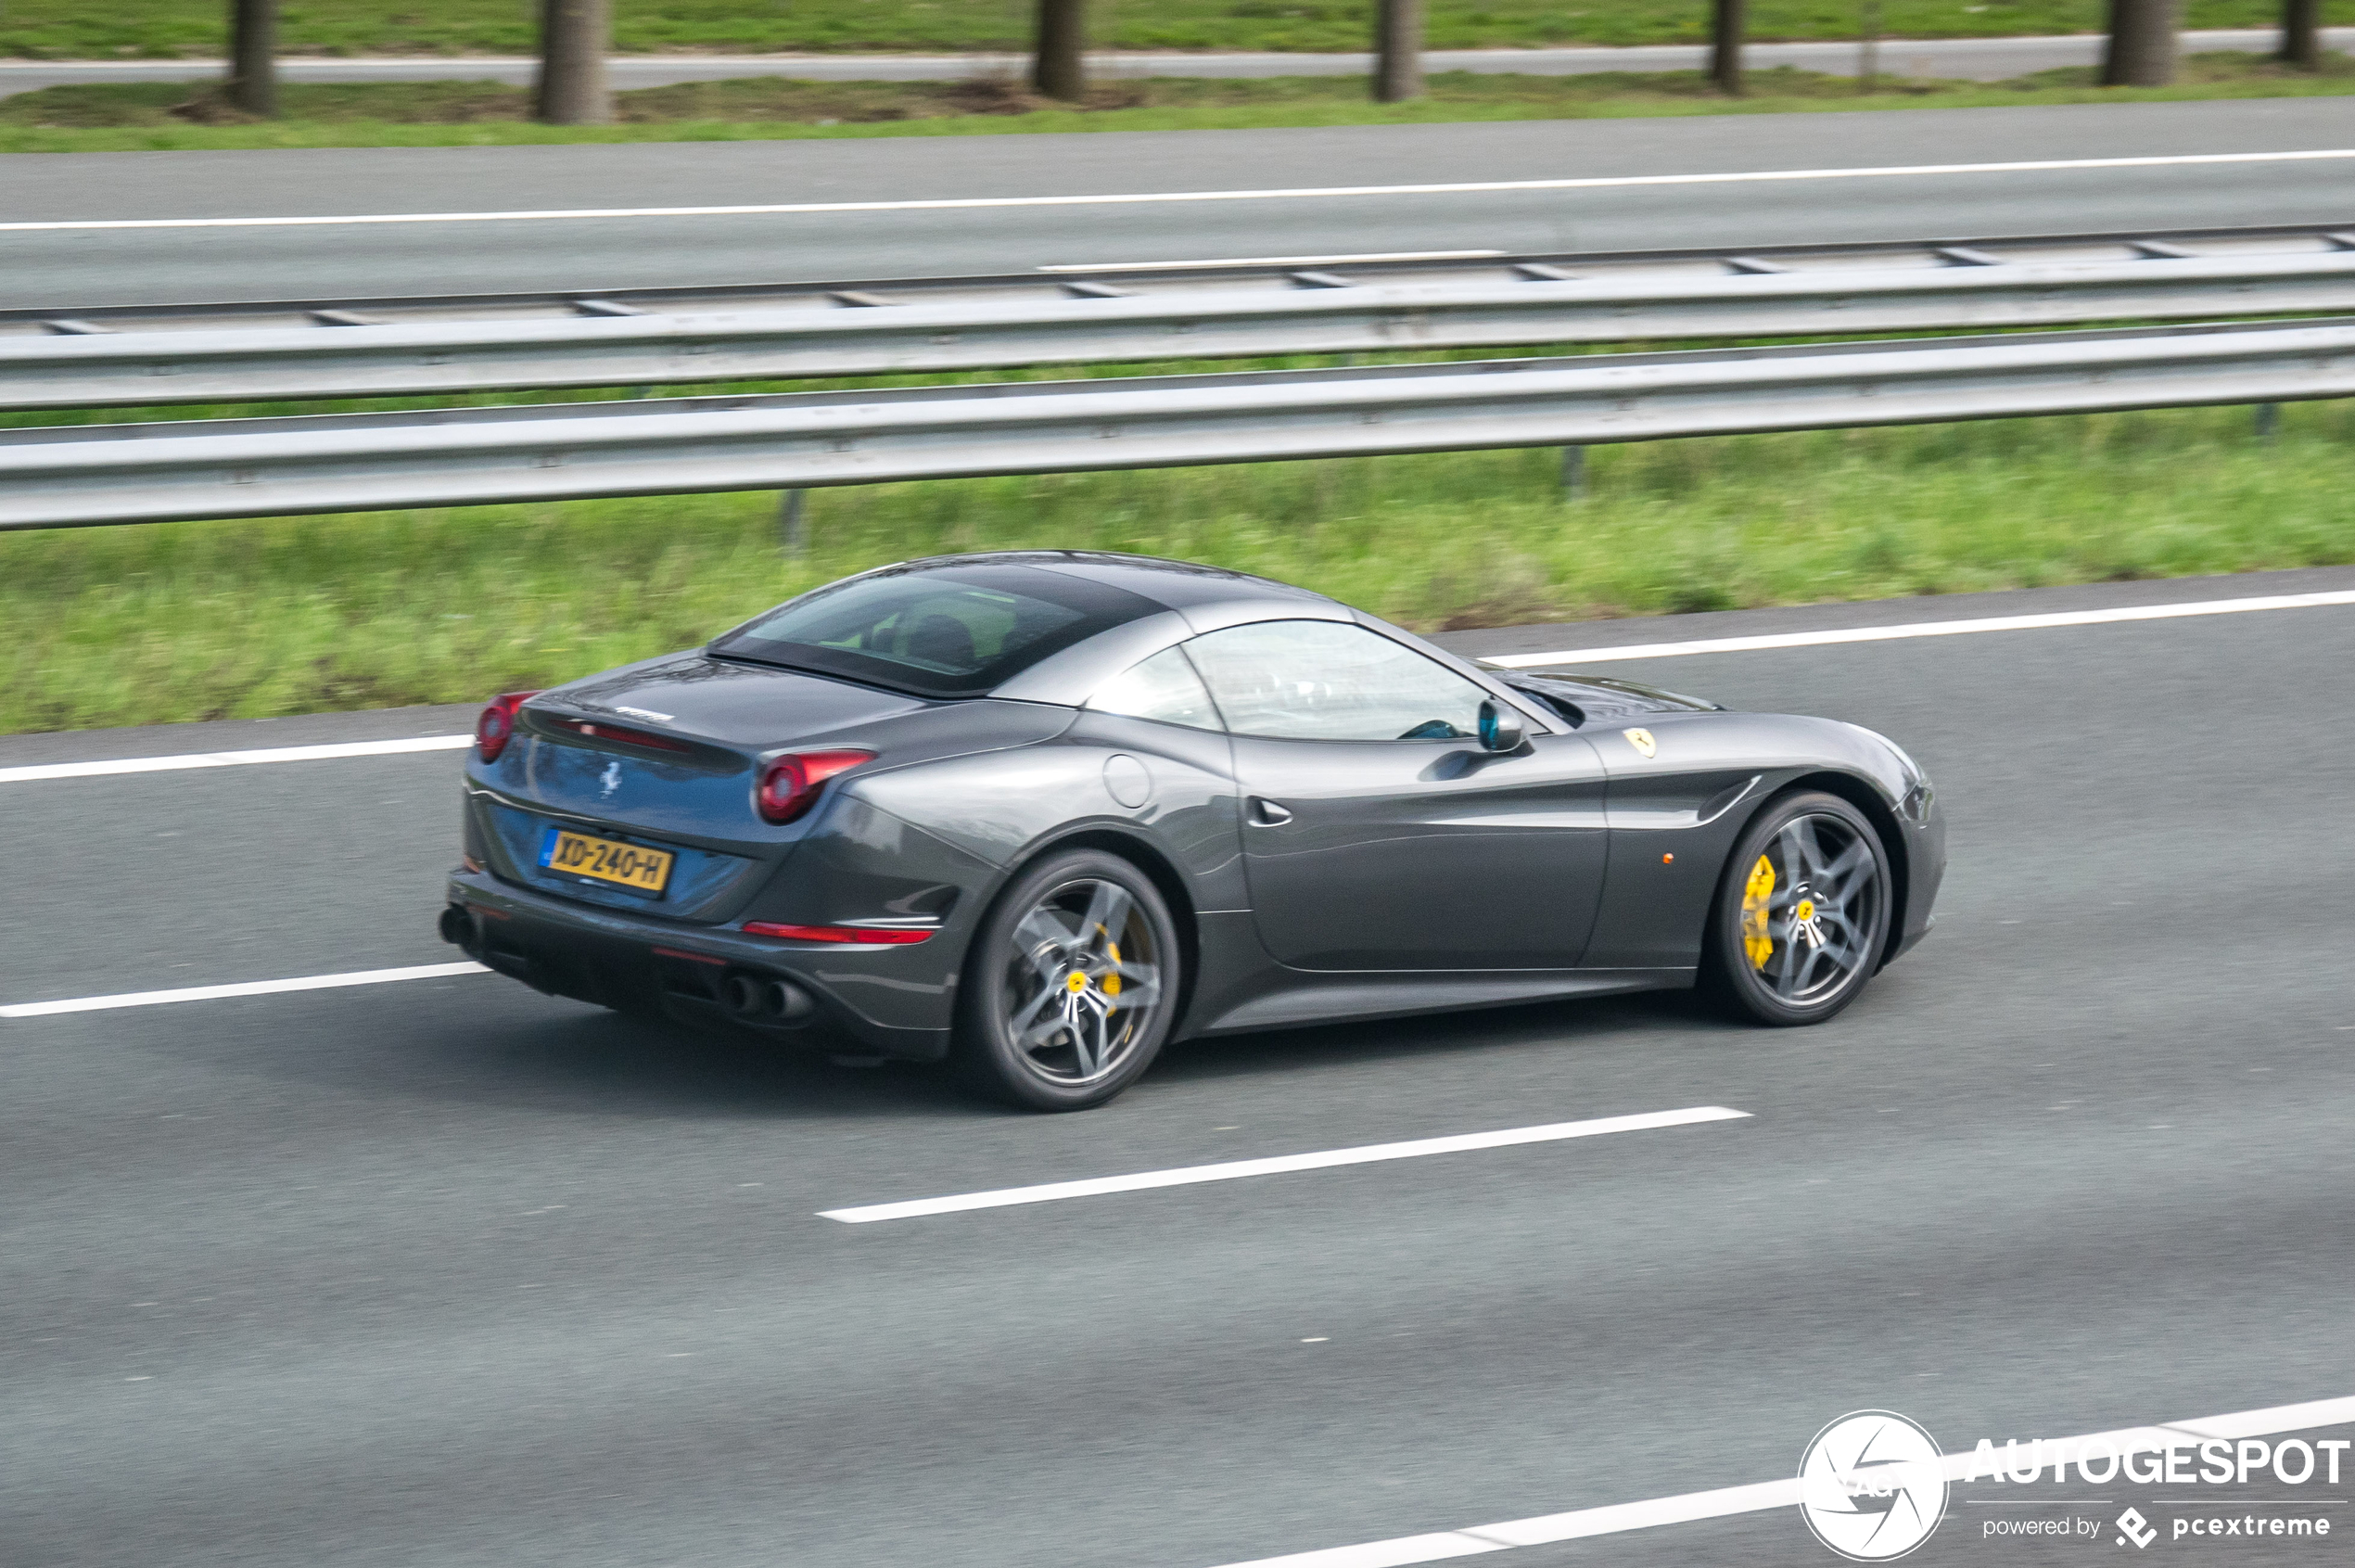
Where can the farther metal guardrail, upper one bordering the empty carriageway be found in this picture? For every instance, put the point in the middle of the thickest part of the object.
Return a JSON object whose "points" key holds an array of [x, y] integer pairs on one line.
{"points": [[378, 350]]}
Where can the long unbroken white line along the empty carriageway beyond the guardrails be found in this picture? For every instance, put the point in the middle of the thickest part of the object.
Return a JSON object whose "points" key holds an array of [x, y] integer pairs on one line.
{"points": [[1134, 199]]}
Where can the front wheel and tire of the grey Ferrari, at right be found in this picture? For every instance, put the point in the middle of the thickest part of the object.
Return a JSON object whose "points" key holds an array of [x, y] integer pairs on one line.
{"points": [[1803, 912]]}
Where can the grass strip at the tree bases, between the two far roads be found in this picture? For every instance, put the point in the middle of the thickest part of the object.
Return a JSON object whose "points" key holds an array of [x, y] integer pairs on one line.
{"points": [[171, 117]]}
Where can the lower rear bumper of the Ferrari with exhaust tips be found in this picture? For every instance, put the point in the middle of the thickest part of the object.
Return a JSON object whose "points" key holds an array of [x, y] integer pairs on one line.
{"points": [[889, 1002]]}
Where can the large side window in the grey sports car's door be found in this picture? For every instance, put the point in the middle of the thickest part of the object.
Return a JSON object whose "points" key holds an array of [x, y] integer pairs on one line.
{"points": [[1332, 682]]}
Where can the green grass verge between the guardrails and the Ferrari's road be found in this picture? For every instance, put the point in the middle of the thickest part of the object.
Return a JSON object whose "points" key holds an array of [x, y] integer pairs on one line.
{"points": [[223, 620]]}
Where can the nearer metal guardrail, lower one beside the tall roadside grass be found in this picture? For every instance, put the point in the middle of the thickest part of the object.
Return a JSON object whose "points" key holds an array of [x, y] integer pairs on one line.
{"points": [[446, 458]]}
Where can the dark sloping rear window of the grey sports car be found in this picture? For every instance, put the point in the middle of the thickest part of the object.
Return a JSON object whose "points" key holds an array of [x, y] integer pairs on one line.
{"points": [[938, 632]]}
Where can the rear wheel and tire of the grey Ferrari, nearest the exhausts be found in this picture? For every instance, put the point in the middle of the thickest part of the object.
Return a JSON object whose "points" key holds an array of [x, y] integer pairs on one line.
{"points": [[1049, 1011]]}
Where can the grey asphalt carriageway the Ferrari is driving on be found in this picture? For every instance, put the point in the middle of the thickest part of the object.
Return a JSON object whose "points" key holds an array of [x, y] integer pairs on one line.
{"points": [[449, 1273]]}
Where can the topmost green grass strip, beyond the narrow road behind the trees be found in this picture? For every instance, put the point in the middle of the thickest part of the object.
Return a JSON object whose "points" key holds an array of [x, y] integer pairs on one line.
{"points": [[77, 29]]}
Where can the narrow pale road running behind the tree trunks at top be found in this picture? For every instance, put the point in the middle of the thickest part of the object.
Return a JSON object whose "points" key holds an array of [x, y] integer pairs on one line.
{"points": [[1979, 60]]}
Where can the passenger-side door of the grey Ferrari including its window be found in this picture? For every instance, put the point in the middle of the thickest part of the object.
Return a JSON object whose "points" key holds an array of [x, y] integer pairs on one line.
{"points": [[1376, 830]]}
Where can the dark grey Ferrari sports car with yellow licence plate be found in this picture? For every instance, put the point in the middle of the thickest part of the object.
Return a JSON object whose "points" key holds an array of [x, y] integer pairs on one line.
{"points": [[1042, 813]]}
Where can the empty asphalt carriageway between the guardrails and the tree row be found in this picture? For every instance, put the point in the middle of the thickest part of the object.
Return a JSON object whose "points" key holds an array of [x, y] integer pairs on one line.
{"points": [[91, 267]]}
